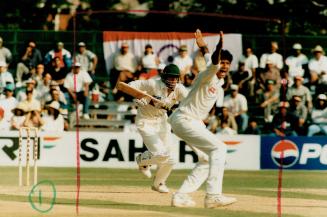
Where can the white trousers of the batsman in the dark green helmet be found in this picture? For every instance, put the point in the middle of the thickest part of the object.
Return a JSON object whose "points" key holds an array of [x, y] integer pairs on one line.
{"points": [[156, 134]]}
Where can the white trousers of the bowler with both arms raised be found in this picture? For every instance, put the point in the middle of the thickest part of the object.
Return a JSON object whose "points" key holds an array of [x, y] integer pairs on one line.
{"points": [[195, 133]]}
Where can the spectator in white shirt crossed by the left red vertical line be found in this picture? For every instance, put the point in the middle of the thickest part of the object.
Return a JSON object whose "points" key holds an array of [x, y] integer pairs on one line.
{"points": [[79, 92]]}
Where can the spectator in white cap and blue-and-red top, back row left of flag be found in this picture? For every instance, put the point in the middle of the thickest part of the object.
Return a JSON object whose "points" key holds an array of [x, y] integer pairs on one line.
{"points": [[63, 54]]}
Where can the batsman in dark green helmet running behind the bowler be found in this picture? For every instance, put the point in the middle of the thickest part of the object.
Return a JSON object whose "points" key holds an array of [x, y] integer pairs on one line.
{"points": [[151, 122]]}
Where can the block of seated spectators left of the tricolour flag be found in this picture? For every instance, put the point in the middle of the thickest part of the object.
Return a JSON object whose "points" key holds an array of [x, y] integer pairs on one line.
{"points": [[43, 89]]}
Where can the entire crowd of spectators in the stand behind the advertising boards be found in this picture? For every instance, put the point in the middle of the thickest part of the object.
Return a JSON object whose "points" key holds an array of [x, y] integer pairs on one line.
{"points": [[271, 94]]}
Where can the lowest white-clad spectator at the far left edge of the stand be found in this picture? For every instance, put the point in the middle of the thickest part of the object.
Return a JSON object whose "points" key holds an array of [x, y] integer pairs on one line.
{"points": [[9, 102]]}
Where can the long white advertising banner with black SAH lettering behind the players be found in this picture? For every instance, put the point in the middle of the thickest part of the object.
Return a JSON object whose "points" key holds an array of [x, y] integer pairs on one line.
{"points": [[118, 150]]}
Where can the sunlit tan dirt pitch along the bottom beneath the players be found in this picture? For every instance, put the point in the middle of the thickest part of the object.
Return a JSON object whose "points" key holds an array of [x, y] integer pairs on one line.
{"points": [[145, 196]]}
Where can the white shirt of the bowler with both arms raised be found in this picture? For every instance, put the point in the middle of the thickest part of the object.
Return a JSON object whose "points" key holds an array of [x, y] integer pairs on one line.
{"points": [[204, 94]]}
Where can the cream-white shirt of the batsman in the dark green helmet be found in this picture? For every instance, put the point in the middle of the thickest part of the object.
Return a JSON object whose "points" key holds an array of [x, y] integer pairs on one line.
{"points": [[157, 89]]}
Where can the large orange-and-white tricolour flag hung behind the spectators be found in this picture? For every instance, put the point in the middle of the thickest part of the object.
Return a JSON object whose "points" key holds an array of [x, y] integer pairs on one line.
{"points": [[166, 44]]}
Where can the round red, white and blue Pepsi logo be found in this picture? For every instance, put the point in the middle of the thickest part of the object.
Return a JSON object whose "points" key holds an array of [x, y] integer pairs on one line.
{"points": [[285, 153]]}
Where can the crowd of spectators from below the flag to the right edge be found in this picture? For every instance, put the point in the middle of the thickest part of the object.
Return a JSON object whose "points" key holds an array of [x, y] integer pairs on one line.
{"points": [[272, 94]]}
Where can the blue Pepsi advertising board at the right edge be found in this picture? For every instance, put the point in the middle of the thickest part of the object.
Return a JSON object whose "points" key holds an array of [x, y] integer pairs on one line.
{"points": [[294, 152]]}
